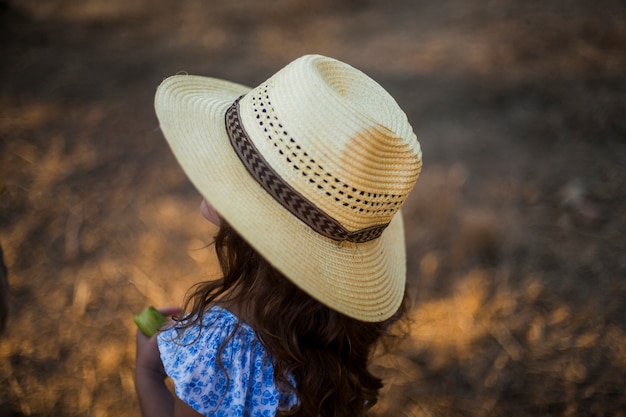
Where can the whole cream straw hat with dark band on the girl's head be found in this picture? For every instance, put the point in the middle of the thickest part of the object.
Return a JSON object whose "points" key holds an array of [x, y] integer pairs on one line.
{"points": [[311, 168]]}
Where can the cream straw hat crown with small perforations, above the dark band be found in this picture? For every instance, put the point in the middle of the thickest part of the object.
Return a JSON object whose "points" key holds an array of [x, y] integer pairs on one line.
{"points": [[337, 138]]}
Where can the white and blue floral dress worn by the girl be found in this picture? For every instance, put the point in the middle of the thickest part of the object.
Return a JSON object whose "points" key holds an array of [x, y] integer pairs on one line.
{"points": [[243, 386]]}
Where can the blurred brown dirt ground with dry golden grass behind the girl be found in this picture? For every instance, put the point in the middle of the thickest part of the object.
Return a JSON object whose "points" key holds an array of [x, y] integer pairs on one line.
{"points": [[515, 232]]}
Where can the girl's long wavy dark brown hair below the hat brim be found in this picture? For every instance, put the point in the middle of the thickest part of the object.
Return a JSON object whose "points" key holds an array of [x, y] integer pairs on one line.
{"points": [[325, 351]]}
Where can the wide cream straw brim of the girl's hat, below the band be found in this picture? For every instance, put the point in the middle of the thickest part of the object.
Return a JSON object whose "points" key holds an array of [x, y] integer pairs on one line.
{"points": [[364, 281]]}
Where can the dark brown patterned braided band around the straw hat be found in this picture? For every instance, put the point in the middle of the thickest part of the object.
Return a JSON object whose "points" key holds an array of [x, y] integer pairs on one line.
{"points": [[283, 193]]}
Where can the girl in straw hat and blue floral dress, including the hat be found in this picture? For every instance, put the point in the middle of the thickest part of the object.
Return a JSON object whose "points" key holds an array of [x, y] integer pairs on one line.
{"points": [[305, 176]]}
